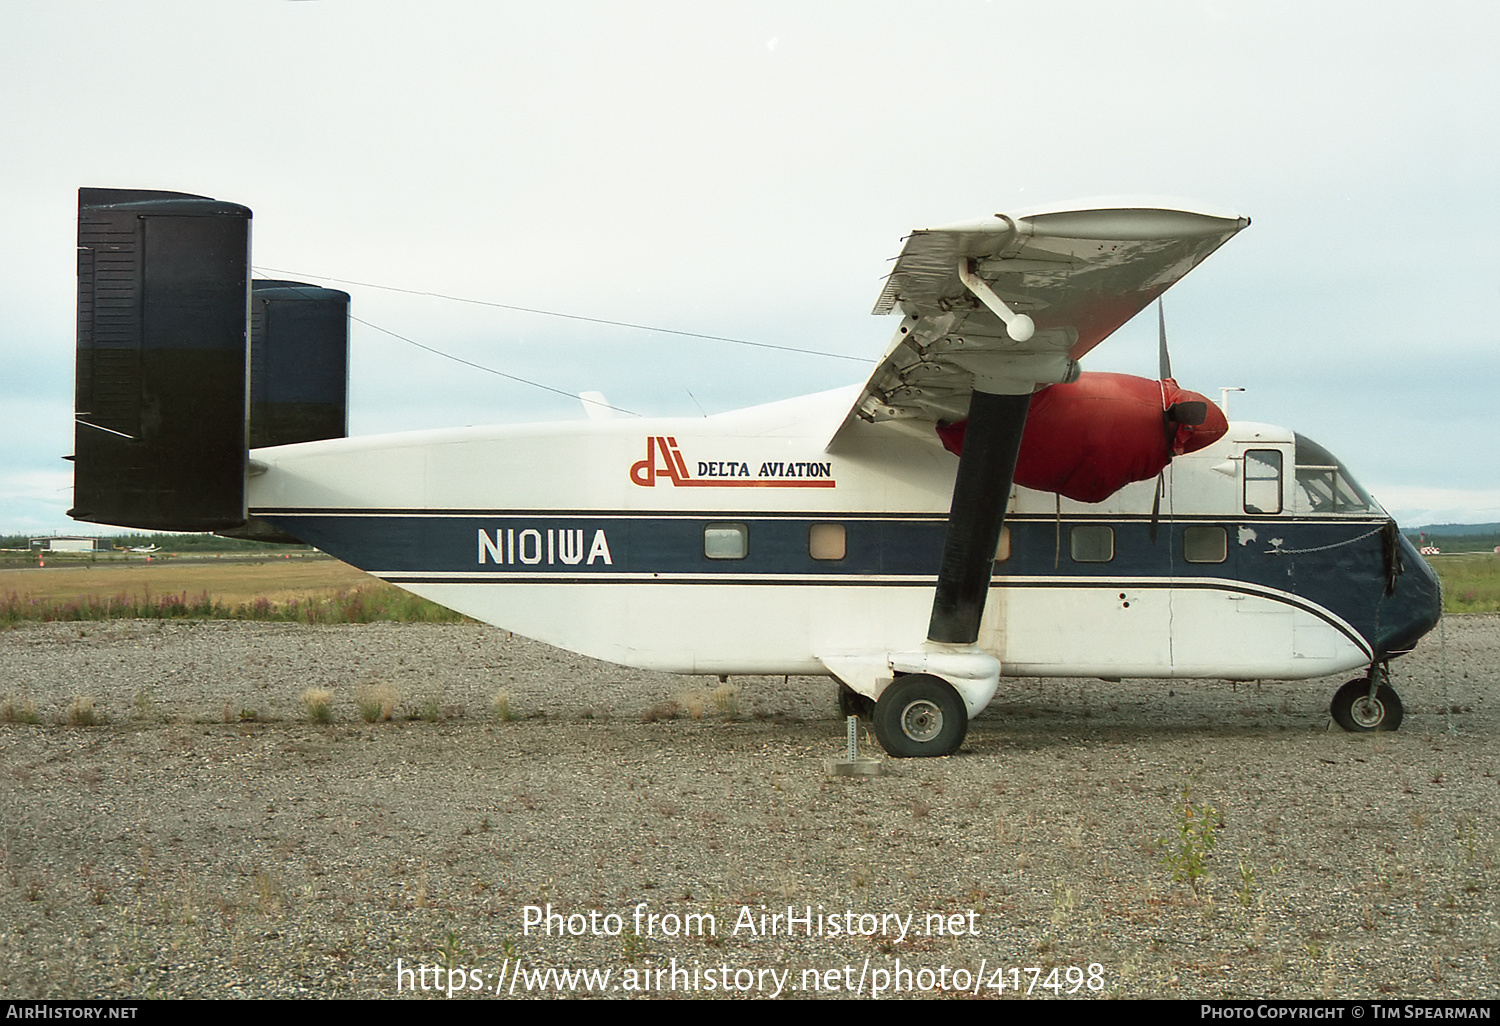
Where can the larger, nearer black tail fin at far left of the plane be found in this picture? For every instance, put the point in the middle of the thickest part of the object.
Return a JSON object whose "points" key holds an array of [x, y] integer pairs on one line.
{"points": [[161, 389]]}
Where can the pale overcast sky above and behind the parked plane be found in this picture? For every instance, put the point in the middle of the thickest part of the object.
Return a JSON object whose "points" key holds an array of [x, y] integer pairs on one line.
{"points": [[748, 170]]}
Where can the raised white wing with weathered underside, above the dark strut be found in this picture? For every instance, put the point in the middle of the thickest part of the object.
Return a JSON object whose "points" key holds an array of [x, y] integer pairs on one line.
{"points": [[1078, 275]]}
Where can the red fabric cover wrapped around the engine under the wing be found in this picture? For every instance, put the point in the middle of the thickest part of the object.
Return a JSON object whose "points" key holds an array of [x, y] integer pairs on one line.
{"points": [[1091, 439]]}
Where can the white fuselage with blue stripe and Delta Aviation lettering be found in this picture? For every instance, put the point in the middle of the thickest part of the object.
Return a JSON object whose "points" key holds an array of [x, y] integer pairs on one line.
{"points": [[689, 547]]}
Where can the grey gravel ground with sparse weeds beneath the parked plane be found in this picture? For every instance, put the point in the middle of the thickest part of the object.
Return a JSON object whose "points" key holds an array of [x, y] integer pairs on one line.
{"points": [[209, 842]]}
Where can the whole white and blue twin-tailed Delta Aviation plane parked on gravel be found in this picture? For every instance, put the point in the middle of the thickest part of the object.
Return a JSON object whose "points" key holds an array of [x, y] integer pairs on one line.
{"points": [[979, 508]]}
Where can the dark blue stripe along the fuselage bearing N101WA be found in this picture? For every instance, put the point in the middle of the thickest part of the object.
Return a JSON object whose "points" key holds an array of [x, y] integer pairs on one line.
{"points": [[1318, 566]]}
